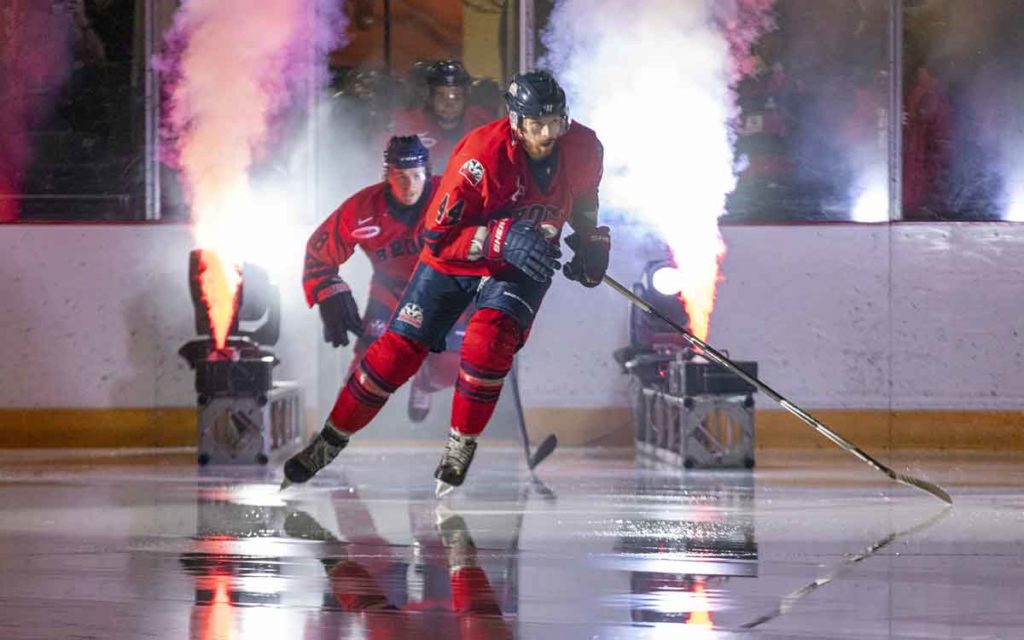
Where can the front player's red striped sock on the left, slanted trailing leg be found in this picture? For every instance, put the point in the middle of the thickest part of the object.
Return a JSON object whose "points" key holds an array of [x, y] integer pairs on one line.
{"points": [[389, 364]]}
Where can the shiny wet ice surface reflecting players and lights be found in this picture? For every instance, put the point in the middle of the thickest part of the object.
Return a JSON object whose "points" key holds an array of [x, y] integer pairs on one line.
{"points": [[813, 544]]}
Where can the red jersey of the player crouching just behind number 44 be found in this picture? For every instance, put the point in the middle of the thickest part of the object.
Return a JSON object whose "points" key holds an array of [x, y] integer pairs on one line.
{"points": [[369, 222]]}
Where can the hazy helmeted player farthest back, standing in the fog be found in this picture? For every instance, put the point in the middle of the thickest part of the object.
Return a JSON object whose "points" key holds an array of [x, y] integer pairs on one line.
{"points": [[447, 116]]}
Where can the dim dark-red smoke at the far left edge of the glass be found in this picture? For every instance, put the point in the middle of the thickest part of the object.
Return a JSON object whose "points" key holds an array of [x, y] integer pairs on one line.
{"points": [[35, 58]]}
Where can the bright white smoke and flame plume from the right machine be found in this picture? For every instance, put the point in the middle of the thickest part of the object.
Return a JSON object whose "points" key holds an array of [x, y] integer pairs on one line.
{"points": [[658, 90]]}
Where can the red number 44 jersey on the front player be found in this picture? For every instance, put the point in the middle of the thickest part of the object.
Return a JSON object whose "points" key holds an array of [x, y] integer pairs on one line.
{"points": [[489, 178]]}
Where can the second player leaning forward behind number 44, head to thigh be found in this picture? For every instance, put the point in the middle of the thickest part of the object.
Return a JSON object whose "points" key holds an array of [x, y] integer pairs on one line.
{"points": [[386, 221]]}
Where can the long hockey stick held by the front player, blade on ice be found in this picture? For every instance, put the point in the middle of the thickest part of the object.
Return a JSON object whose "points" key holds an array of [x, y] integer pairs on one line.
{"points": [[718, 358]]}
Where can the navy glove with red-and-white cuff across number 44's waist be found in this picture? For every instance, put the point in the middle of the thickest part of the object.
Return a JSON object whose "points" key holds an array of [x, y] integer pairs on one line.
{"points": [[523, 246]]}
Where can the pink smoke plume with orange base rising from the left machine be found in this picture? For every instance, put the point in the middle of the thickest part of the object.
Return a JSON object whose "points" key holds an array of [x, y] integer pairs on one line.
{"points": [[234, 70]]}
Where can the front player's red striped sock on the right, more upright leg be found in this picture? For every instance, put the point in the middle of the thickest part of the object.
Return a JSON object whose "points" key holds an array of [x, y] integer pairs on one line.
{"points": [[492, 340]]}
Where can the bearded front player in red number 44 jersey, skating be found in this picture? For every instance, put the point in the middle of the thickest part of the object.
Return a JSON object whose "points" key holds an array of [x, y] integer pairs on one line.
{"points": [[492, 235]]}
